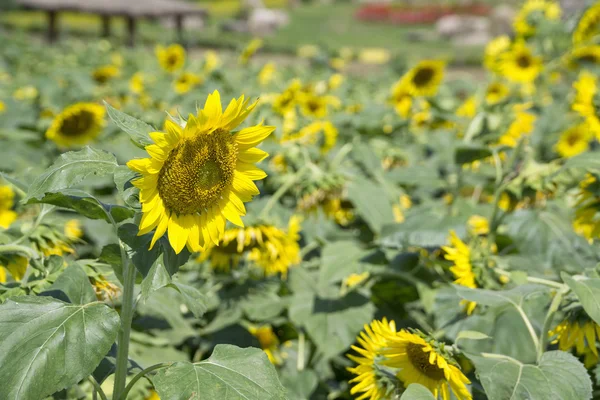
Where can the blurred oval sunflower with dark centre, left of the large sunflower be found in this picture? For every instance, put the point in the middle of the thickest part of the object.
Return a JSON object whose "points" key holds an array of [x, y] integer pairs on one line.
{"points": [[77, 124]]}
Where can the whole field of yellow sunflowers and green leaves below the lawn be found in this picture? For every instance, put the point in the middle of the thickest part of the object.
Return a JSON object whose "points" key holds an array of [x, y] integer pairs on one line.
{"points": [[199, 225]]}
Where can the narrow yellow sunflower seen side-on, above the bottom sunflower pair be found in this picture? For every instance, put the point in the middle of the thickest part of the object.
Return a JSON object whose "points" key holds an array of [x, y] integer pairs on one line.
{"points": [[460, 254]]}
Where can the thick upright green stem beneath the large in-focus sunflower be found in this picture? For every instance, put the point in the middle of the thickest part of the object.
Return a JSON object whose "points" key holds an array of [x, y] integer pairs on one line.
{"points": [[125, 328]]}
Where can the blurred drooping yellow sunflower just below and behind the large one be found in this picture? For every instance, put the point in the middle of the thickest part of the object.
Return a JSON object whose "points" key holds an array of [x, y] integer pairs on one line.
{"points": [[269, 248]]}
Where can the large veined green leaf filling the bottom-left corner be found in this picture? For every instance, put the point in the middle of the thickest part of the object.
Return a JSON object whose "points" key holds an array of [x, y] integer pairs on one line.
{"points": [[47, 345]]}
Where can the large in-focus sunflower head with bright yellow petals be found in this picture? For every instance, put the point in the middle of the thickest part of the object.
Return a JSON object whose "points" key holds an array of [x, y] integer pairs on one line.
{"points": [[199, 176]]}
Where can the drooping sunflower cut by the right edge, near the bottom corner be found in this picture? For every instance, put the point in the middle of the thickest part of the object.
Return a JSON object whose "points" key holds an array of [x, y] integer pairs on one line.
{"points": [[579, 332]]}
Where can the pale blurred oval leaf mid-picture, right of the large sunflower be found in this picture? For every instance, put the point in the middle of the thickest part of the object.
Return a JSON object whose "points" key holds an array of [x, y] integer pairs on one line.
{"points": [[371, 202]]}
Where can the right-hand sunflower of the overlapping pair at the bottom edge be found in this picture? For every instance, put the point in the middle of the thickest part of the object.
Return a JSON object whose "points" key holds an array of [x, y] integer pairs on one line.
{"points": [[422, 362]]}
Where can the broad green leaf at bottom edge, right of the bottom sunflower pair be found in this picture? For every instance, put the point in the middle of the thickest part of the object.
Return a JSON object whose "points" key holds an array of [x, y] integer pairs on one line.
{"points": [[558, 376]]}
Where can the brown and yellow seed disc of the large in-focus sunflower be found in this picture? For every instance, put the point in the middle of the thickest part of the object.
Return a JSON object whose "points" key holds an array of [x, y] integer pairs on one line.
{"points": [[197, 172]]}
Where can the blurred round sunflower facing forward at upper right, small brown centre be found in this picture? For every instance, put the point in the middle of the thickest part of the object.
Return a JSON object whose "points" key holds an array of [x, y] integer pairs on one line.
{"points": [[520, 64]]}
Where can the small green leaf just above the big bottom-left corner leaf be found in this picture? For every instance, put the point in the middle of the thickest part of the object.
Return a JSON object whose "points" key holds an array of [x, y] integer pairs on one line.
{"points": [[75, 284]]}
